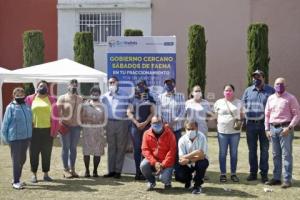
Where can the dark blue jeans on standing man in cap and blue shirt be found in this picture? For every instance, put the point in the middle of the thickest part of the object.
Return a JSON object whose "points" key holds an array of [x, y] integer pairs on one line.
{"points": [[255, 132]]}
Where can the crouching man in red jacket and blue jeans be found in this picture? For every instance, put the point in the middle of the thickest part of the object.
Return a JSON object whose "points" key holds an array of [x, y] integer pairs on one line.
{"points": [[159, 150]]}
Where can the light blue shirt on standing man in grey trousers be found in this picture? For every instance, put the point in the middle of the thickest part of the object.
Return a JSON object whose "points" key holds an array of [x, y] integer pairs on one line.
{"points": [[116, 104]]}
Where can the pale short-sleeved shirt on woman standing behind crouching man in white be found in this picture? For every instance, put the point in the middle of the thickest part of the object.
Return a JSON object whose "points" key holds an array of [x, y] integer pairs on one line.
{"points": [[198, 112]]}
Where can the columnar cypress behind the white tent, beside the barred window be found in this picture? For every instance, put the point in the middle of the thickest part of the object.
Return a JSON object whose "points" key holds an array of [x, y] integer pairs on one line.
{"points": [[84, 54]]}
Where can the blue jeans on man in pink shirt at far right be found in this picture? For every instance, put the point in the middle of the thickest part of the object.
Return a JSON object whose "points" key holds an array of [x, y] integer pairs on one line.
{"points": [[282, 152]]}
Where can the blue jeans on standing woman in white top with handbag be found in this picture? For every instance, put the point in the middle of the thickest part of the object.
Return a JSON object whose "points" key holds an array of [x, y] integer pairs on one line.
{"points": [[231, 140]]}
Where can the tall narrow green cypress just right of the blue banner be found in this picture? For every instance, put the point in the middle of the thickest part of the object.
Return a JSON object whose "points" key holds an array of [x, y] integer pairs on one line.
{"points": [[196, 58]]}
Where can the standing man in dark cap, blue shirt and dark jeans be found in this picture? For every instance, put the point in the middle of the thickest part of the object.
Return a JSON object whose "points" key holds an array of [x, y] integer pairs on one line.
{"points": [[255, 98]]}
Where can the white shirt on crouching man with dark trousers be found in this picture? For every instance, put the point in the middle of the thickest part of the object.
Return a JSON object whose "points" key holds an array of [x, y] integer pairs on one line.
{"points": [[186, 146]]}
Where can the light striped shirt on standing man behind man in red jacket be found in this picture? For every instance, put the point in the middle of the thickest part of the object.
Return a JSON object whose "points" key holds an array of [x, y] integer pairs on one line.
{"points": [[172, 109]]}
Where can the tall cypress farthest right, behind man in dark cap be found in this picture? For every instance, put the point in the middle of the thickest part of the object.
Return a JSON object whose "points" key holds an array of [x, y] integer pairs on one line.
{"points": [[258, 51]]}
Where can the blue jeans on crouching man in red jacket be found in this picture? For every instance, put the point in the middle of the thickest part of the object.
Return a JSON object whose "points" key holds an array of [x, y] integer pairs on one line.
{"points": [[148, 171]]}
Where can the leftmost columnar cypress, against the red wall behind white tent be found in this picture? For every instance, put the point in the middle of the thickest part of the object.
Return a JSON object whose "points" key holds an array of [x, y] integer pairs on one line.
{"points": [[33, 53]]}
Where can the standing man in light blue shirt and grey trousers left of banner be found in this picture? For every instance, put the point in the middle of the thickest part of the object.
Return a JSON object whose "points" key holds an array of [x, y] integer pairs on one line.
{"points": [[116, 102]]}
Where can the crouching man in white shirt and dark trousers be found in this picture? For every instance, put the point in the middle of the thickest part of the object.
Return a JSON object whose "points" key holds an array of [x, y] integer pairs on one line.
{"points": [[192, 150]]}
